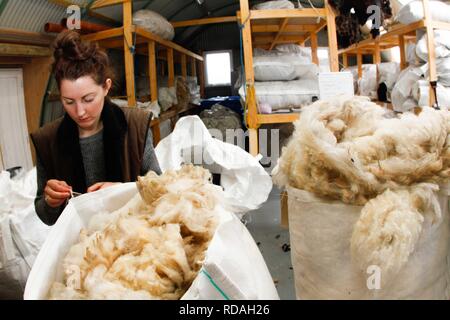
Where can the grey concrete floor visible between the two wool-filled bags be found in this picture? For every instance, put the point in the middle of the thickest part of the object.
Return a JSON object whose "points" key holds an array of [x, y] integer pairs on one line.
{"points": [[264, 225]]}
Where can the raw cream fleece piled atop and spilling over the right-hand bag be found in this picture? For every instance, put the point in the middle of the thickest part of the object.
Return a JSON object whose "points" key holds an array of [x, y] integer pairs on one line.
{"points": [[353, 150]]}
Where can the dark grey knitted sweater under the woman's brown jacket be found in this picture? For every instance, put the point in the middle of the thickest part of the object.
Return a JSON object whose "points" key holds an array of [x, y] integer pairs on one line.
{"points": [[94, 168]]}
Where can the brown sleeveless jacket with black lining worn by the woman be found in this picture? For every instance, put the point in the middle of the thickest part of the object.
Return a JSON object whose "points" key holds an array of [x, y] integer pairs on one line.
{"points": [[124, 135]]}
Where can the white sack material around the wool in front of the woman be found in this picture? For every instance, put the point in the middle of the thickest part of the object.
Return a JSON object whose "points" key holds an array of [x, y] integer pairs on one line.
{"points": [[234, 267]]}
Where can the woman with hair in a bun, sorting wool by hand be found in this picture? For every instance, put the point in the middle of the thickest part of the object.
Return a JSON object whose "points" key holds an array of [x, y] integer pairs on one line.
{"points": [[96, 143]]}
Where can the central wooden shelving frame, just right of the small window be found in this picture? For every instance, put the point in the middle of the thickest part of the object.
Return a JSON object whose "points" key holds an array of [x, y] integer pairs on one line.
{"points": [[267, 28]]}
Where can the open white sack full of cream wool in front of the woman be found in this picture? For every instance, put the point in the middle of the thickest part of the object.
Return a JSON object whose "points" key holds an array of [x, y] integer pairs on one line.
{"points": [[164, 237]]}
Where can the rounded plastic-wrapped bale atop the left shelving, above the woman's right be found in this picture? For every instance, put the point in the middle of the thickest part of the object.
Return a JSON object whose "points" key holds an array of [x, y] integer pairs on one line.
{"points": [[155, 23]]}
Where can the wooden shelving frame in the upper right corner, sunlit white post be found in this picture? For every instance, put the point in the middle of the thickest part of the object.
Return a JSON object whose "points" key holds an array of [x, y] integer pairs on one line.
{"points": [[398, 36]]}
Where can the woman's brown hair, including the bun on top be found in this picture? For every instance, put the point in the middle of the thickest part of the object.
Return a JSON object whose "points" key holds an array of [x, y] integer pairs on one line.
{"points": [[74, 58]]}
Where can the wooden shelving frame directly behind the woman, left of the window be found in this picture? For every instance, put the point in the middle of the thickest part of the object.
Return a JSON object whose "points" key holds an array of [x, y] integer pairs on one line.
{"points": [[136, 40]]}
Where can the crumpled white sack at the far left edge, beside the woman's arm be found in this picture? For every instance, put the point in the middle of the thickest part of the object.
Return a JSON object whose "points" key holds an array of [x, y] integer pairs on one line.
{"points": [[22, 233]]}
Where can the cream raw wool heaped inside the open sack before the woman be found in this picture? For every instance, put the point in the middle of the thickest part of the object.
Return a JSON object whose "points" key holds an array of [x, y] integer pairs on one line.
{"points": [[152, 248]]}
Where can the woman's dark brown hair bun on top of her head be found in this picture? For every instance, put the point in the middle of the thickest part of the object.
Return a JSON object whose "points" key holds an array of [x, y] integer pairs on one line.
{"points": [[68, 46]]}
